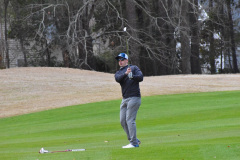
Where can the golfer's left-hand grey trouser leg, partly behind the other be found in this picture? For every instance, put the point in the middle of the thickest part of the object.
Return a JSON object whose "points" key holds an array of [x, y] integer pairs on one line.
{"points": [[123, 111]]}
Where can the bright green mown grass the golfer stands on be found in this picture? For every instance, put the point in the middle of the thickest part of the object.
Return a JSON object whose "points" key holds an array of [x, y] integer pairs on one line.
{"points": [[197, 126]]}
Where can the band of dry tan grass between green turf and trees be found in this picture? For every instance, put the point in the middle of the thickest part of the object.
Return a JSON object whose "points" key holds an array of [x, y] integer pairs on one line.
{"points": [[27, 90]]}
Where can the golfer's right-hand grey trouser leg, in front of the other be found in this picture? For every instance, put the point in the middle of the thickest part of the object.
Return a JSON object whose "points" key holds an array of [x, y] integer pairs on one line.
{"points": [[132, 108]]}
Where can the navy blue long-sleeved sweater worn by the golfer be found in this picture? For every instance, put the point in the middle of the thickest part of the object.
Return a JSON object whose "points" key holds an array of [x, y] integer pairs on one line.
{"points": [[130, 87]]}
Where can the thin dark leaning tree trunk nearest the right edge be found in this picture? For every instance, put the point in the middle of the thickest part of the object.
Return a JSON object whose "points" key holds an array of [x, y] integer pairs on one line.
{"points": [[234, 57]]}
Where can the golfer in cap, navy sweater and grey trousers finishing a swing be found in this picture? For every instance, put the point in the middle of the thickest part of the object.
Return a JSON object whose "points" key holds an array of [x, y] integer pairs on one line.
{"points": [[129, 77]]}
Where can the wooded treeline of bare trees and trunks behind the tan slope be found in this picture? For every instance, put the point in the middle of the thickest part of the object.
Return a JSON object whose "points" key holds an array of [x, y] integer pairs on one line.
{"points": [[164, 36]]}
